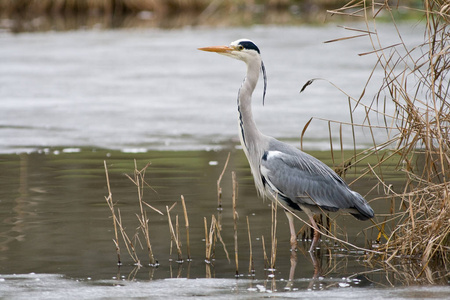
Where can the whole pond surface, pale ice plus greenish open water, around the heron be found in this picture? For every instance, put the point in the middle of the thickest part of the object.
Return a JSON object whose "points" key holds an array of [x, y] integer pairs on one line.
{"points": [[70, 101]]}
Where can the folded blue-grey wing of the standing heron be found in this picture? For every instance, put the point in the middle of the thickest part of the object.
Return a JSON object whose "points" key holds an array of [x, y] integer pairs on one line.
{"points": [[304, 179]]}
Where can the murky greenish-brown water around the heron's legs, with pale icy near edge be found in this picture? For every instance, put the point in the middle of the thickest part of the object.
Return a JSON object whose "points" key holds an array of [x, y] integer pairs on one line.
{"points": [[55, 220]]}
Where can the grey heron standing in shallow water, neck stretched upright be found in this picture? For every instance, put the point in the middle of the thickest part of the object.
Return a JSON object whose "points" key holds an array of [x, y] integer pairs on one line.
{"points": [[281, 171]]}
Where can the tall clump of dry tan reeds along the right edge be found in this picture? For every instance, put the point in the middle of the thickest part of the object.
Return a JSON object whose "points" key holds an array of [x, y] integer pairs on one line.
{"points": [[417, 82]]}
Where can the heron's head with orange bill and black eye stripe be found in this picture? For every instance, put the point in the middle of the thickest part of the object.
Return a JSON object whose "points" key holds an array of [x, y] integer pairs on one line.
{"points": [[242, 49]]}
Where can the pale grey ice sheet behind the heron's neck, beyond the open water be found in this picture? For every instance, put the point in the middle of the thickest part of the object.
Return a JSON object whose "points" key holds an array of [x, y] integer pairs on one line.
{"points": [[152, 89]]}
